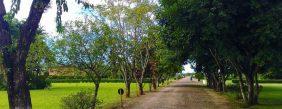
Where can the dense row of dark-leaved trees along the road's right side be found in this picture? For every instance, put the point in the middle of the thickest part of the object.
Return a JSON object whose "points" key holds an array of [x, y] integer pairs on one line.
{"points": [[225, 37]]}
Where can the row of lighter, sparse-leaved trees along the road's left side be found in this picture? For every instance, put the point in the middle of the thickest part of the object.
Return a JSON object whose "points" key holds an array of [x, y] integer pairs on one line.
{"points": [[119, 37]]}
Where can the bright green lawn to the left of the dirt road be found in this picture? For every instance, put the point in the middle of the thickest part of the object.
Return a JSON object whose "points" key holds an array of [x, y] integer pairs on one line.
{"points": [[50, 98]]}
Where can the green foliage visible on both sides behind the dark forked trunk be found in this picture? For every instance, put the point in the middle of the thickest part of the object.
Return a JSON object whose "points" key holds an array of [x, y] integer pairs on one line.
{"points": [[39, 59]]}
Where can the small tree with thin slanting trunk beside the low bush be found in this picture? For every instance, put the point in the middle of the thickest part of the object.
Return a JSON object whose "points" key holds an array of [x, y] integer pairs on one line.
{"points": [[85, 45]]}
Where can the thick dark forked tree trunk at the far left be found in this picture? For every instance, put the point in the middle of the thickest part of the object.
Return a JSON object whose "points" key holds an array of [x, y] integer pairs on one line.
{"points": [[15, 59]]}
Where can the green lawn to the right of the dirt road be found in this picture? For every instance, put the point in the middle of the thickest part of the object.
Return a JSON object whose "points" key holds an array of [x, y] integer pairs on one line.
{"points": [[269, 98]]}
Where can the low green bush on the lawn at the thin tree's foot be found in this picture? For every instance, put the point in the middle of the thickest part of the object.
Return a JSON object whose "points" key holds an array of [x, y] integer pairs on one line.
{"points": [[80, 100]]}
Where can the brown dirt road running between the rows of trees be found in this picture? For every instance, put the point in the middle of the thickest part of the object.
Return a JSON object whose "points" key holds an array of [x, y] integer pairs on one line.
{"points": [[182, 94]]}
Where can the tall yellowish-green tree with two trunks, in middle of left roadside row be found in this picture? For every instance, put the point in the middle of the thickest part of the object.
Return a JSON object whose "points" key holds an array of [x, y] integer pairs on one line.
{"points": [[131, 21]]}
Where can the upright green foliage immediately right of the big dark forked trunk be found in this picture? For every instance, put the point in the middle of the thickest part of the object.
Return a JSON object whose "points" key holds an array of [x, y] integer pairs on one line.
{"points": [[40, 58]]}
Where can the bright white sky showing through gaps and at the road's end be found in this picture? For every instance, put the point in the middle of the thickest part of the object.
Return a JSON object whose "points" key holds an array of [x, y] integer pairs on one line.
{"points": [[48, 21]]}
